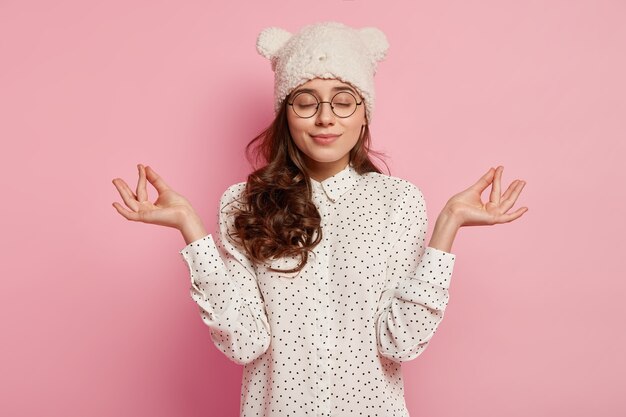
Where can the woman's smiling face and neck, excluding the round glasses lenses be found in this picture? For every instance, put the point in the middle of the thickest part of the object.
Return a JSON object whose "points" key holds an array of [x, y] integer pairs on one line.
{"points": [[325, 156]]}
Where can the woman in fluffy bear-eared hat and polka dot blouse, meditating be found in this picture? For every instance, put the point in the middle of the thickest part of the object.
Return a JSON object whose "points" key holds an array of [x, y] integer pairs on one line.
{"points": [[319, 281]]}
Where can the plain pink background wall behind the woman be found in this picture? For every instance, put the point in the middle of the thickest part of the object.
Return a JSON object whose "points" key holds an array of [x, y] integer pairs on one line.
{"points": [[95, 310]]}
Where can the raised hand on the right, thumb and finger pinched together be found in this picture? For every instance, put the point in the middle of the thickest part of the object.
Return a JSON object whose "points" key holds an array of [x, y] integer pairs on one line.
{"points": [[468, 209]]}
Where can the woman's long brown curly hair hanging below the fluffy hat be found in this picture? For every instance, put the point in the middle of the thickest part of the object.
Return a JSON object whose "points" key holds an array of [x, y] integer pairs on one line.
{"points": [[278, 217]]}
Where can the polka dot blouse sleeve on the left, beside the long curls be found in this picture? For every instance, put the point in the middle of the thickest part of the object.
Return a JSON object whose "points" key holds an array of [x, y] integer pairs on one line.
{"points": [[224, 286]]}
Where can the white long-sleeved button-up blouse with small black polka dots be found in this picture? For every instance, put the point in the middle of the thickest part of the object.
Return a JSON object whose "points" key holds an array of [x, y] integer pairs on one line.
{"points": [[329, 340]]}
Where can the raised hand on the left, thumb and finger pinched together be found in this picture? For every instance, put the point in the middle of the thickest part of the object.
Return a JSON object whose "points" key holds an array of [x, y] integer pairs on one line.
{"points": [[170, 209]]}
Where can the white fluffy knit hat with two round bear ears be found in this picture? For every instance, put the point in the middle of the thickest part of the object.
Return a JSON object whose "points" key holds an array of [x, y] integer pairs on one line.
{"points": [[324, 50]]}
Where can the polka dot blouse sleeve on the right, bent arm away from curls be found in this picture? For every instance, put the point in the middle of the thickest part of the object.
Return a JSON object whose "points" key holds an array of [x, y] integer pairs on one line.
{"points": [[412, 307]]}
